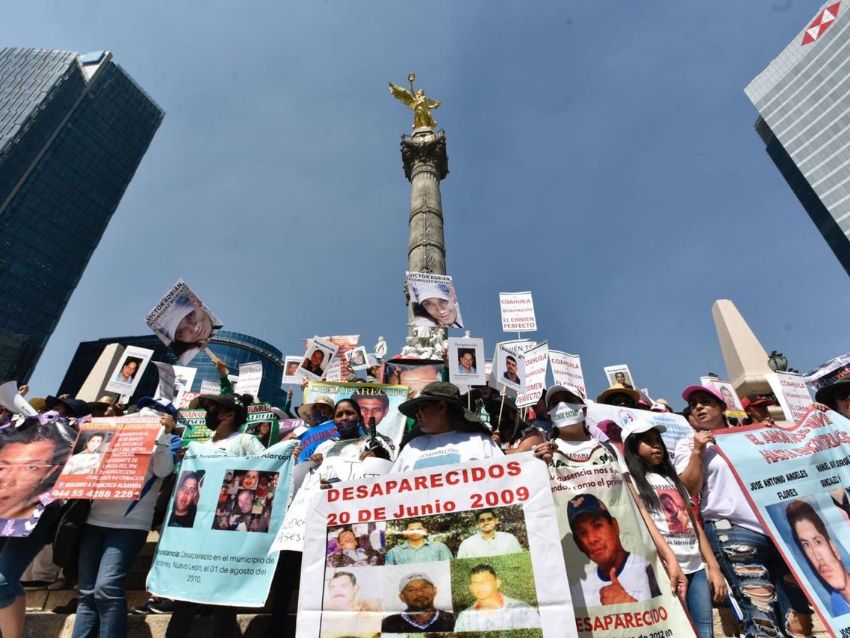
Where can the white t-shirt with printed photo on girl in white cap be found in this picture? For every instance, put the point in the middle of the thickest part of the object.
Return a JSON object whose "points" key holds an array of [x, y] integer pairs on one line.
{"points": [[674, 522]]}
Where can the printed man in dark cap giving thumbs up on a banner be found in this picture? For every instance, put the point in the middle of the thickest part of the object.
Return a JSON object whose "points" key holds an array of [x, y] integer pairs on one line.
{"points": [[619, 577]]}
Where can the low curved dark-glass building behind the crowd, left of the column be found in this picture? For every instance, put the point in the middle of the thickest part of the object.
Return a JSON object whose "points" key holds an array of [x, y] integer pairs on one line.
{"points": [[231, 347]]}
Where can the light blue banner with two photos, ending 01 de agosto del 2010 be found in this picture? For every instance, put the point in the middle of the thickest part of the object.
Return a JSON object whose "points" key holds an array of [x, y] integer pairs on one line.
{"points": [[219, 526]]}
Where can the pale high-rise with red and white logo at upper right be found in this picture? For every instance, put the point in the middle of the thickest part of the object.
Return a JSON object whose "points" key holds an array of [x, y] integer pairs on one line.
{"points": [[803, 100]]}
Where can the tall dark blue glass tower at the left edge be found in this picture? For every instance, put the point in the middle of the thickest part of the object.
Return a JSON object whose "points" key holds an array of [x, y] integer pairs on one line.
{"points": [[73, 129]]}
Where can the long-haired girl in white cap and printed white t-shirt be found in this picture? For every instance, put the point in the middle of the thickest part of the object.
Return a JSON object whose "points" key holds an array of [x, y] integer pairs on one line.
{"points": [[669, 504]]}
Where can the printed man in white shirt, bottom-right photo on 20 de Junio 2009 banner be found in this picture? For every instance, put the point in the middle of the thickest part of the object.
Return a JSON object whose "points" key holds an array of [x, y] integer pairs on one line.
{"points": [[492, 609]]}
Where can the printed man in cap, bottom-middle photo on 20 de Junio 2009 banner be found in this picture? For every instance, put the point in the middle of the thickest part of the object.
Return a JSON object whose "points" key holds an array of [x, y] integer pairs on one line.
{"points": [[417, 591]]}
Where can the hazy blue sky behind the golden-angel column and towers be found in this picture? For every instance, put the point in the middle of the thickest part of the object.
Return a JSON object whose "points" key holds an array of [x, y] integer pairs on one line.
{"points": [[601, 155]]}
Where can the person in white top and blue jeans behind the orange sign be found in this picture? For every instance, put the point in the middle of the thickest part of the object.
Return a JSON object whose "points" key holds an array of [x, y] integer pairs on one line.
{"points": [[114, 533]]}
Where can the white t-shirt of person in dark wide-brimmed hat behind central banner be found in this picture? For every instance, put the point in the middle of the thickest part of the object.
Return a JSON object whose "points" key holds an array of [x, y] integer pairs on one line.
{"points": [[429, 450]]}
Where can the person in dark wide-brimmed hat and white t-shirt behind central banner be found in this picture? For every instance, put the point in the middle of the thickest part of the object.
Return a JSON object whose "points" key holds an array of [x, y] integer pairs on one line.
{"points": [[445, 431]]}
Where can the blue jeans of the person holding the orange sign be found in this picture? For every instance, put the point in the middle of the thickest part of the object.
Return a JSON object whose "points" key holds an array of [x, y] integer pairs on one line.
{"points": [[105, 557]]}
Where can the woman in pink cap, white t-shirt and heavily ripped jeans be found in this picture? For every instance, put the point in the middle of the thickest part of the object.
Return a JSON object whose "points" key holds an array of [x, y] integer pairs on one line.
{"points": [[749, 560]]}
